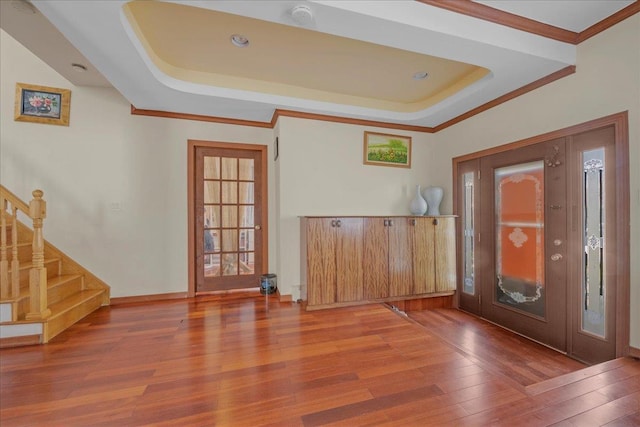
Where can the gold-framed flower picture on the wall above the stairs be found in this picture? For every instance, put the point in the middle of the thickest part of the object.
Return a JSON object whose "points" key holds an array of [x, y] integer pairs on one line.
{"points": [[42, 104]]}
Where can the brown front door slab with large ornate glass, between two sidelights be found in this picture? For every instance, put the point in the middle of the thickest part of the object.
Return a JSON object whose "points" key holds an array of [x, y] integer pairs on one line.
{"points": [[524, 219]]}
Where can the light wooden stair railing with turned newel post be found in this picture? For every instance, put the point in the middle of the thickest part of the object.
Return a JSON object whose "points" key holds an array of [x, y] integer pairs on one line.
{"points": [[10, 204]]}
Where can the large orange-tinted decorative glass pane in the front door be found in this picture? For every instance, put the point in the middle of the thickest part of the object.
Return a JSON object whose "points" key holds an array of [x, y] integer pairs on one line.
{"points": [[519, 230]]}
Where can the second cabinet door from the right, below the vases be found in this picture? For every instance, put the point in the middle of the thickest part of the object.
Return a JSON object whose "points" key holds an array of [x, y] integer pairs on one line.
{"points": [[423, 256]]}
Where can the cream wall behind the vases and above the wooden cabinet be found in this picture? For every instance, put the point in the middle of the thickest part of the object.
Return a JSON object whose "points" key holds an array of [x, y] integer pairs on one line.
{"points": [[321, 172]]}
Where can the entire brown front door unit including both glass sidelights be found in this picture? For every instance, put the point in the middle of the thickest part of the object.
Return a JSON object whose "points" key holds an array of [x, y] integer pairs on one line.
{"points": [[539, 246]]}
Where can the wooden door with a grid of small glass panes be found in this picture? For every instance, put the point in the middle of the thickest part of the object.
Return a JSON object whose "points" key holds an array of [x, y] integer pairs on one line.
{"points": [[231, 219]]}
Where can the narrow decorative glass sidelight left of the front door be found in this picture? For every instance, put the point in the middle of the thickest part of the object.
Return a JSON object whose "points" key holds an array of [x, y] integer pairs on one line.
{"points": [[468, 278]]}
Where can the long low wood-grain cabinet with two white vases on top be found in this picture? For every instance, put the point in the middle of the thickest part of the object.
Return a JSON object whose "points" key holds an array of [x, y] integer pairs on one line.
{"points": [[355, 260]]}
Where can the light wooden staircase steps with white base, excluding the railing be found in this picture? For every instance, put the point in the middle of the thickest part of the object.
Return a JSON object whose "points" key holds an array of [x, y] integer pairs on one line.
{"points": [[72, 292]]}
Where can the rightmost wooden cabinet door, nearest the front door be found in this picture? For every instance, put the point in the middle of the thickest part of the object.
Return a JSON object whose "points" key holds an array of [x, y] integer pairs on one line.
{"points": [[445, 254]]}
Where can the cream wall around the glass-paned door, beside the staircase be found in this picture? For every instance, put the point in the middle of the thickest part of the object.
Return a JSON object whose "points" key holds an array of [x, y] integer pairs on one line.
{"points": [[107, 156]]}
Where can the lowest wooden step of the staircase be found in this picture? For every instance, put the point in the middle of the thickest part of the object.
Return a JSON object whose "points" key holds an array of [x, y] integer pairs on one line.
{"points": [[72, 309]]}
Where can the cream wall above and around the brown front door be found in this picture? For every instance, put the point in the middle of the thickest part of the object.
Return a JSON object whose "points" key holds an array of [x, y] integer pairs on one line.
{"points": [[607, 81]]}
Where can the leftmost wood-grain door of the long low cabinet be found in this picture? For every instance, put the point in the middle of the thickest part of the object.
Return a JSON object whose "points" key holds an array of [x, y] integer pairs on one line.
{"points": [[321, 261]]}
